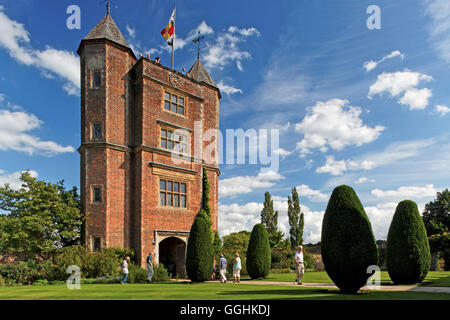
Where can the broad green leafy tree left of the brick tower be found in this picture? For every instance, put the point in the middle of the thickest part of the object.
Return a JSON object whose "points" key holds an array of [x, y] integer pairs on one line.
{"points": [[42, 217]]}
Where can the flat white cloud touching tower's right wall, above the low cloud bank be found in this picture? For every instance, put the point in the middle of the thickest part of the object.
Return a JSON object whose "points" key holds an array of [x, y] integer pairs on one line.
{"points": [[246, 184]]}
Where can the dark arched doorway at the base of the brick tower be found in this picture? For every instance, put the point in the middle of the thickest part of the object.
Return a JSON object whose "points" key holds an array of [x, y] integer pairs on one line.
{"points": [[172, 253]]}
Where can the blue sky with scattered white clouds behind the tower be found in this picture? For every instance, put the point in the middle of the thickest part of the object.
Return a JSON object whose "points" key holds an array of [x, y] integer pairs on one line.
{"points": [[367, 108]]}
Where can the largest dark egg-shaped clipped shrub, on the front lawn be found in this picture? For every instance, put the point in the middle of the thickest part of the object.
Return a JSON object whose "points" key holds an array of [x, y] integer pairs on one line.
{"points": [[348, 245]]}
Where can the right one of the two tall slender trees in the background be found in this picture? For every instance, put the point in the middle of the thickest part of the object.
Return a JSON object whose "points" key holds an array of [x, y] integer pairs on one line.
{"points": [[296, 220]]}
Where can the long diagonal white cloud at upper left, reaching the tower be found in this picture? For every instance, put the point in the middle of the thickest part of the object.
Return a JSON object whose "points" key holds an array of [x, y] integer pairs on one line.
{"points": [[61, 63]]}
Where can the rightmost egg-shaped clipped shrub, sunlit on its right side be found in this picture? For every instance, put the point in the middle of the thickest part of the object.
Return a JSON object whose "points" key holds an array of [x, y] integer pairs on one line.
{"points": [[408, 255]]}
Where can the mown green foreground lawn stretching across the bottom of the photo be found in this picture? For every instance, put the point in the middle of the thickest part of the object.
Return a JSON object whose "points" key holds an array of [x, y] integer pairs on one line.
{"points": [[204, 291]]}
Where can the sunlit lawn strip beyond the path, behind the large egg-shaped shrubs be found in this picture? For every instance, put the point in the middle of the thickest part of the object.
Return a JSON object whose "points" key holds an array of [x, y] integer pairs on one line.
{"points": [[433, 279]]}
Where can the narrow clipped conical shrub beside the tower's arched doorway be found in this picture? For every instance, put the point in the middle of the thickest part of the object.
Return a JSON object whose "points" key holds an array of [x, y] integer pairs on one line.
{"points": [[199, 256]]}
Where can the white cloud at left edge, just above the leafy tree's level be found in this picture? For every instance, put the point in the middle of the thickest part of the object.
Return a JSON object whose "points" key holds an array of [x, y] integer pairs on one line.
{"points": [[14, 128]]}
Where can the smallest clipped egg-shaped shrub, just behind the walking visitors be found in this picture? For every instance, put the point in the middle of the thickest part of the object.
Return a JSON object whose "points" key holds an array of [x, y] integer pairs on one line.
{"points": [[258, 253]]}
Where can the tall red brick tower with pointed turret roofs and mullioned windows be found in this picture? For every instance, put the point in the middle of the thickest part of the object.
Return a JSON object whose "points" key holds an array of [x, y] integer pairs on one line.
{"points": [[141, 168]]}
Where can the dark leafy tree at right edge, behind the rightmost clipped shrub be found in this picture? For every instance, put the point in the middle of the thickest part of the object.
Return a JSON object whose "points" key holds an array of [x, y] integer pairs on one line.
{"points": [[436, 215]]}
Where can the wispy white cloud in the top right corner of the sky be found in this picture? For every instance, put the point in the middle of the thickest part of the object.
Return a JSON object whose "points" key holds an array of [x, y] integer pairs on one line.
{"points": [[439, 28]]}
